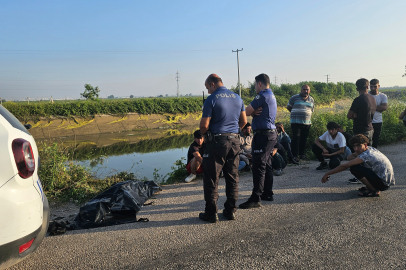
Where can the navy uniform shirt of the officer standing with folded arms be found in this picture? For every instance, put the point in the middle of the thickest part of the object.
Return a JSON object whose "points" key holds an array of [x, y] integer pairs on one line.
{"points": [[266, 120]]}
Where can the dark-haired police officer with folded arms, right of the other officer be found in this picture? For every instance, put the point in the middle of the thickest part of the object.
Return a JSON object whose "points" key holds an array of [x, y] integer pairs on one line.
{"points": [[263, 111]]}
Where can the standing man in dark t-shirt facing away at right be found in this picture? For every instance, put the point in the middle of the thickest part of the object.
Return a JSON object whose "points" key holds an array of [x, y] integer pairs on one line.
{"points": [[362, 111]]}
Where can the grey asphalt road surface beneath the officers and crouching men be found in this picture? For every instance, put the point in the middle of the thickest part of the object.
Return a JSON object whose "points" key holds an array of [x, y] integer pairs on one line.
{"points": [[310, 225]]}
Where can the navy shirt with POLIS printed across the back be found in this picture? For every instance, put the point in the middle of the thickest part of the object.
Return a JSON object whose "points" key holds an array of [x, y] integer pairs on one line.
{"points": [[224, 107]]}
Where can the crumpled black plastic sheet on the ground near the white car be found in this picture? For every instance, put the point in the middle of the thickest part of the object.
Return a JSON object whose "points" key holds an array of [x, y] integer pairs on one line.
{"points": [[117, 205]]}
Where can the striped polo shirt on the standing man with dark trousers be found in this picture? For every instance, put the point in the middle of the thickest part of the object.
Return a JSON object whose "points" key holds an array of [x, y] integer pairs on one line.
{"points": [[302, 109]]}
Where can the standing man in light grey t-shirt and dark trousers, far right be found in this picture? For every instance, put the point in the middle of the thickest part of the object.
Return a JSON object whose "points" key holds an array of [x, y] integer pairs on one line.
{"points": [[381, 106]]}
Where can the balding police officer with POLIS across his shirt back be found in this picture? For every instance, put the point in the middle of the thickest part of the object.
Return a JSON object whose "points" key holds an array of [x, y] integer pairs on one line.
{"points": [[223, 114]]}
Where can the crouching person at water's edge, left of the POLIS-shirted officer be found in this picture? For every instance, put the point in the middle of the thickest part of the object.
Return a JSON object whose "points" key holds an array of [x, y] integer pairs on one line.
{"points": [[194, 156]]}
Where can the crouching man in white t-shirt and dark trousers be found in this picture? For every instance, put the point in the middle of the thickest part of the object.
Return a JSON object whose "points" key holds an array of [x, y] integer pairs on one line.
{"points": [[335, 149]]}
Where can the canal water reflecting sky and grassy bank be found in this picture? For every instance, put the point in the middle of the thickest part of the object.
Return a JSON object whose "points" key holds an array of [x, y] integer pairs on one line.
{"points": [[140, 155]]}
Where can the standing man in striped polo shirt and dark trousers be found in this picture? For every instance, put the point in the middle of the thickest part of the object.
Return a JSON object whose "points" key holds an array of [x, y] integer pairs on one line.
{"points": [[301, 107]]}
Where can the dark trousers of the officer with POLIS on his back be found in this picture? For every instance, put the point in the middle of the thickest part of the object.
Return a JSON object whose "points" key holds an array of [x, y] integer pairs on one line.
{"points": [[222, 154]]}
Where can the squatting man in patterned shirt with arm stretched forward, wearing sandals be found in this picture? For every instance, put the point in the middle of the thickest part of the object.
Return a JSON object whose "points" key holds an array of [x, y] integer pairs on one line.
{"points": [[369, 165]]}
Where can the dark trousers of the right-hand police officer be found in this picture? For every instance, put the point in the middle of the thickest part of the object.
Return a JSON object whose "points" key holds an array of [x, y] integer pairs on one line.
{"points": [[262, 147]]}
